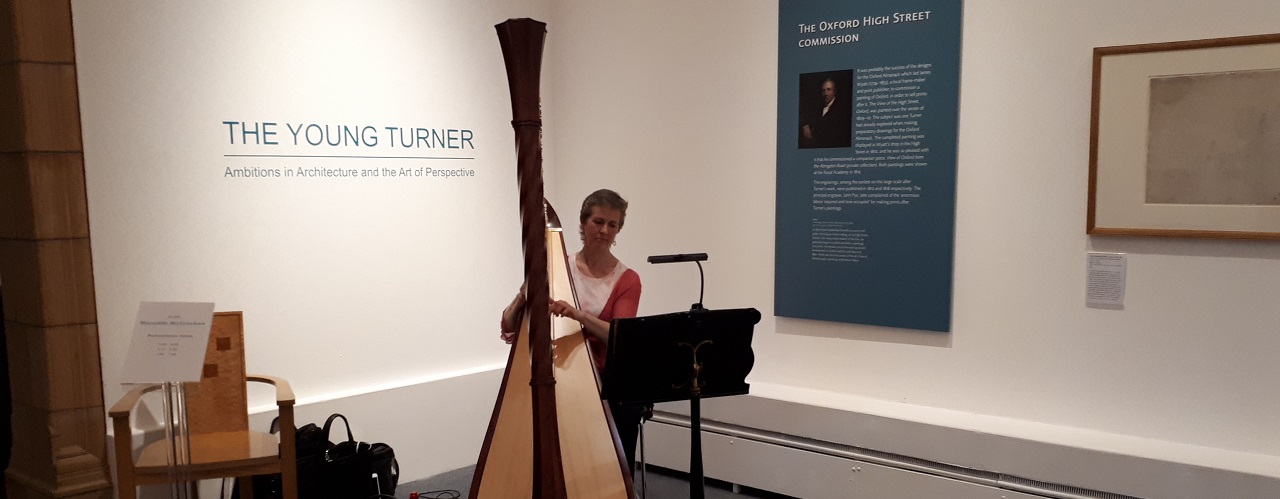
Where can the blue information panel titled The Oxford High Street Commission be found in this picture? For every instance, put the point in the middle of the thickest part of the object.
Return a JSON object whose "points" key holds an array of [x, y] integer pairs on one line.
{"points": [[868, 104]]}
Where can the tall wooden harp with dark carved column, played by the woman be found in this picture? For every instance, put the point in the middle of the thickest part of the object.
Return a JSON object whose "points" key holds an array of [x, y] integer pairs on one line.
{"points": [[550, 436]]}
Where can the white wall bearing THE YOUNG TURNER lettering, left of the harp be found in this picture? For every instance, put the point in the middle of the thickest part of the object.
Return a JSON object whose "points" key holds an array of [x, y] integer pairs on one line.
{"points": [[351, 289]]}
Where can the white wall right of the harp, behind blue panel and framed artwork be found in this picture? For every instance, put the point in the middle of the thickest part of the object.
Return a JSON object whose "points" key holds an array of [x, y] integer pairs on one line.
{"points": [[674, 103]]}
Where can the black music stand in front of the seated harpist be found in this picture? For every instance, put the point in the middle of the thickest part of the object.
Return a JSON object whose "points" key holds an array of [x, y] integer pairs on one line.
{"points": [[685, 356]]}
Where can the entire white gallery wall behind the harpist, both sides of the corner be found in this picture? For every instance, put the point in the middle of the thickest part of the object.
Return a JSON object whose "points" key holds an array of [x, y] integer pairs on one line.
{"points": [[353, 286]]}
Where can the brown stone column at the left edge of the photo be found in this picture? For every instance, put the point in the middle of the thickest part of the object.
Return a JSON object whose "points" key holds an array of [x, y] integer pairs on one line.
{"points": [[45, 263]]}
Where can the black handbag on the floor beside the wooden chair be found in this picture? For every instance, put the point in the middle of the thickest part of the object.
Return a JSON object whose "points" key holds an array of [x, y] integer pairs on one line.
{"points": [[356, 470]]}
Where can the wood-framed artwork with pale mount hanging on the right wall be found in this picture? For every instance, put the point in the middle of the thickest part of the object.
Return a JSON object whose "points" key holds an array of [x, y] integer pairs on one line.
{"points": [[1186, 140]]}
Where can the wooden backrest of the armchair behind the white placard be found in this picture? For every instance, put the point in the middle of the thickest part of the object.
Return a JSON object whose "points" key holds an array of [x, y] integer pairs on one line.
{"points": [[220, 402]]}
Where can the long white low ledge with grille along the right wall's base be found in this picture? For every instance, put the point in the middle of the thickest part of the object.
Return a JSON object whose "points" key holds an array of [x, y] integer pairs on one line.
{"points": [[985, 452]]}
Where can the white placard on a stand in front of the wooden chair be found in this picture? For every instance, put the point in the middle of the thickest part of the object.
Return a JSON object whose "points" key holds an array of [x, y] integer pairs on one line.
{"points": [[170, 342]]}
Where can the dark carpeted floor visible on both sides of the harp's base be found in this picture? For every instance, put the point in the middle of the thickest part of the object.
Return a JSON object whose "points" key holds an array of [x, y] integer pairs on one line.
{"points": [[659, 484]]}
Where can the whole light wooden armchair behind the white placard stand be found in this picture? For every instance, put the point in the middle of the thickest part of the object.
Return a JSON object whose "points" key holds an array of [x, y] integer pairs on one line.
{"points": [[222, 445]]}
